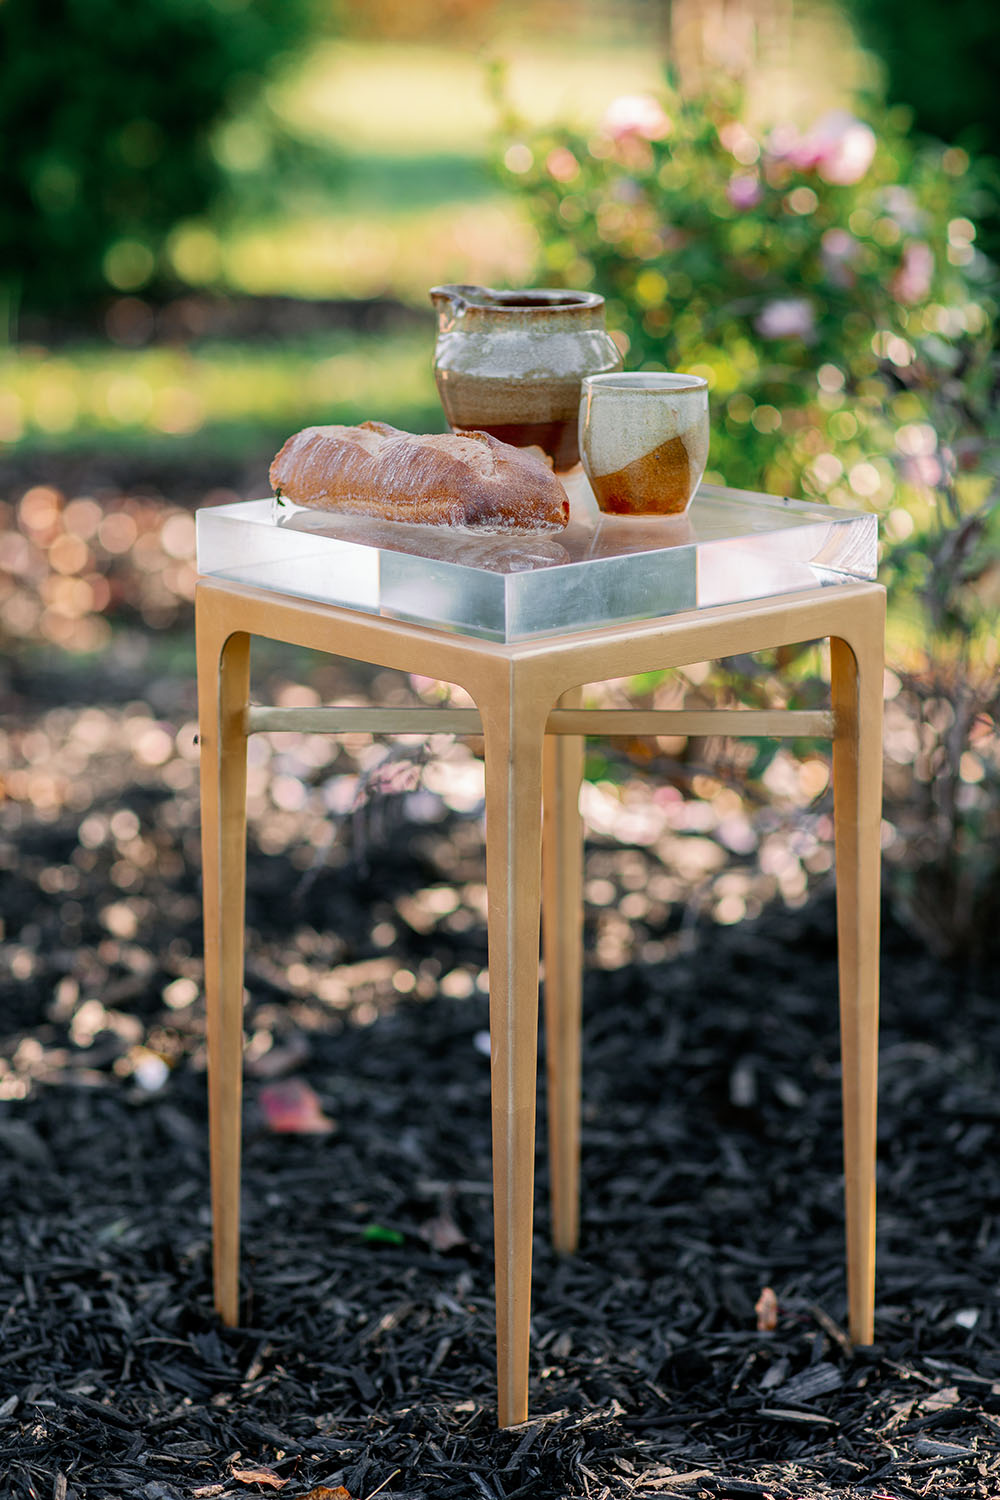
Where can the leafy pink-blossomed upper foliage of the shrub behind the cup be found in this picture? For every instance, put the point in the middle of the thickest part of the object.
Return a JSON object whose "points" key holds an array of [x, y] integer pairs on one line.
{"points": [[821, 281]]}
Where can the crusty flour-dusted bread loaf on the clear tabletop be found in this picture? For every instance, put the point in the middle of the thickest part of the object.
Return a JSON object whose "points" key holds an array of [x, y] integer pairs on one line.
{"points": [[458, 479]]}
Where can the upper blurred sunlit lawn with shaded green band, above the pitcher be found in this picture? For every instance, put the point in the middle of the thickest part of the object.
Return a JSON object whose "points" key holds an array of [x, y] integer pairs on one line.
{"points": [[406, 199]]}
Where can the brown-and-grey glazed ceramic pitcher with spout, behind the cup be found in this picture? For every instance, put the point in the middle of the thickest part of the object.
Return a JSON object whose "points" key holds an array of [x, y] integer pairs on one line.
{"points": [[512, 362]]}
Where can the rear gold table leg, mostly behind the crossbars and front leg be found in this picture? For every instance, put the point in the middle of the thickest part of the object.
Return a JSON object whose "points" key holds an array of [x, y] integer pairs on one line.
{"points": [[563, 937]]}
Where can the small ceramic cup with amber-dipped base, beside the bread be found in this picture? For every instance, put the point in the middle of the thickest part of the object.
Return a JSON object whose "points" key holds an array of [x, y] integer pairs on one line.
{"points": [[644, 442]]}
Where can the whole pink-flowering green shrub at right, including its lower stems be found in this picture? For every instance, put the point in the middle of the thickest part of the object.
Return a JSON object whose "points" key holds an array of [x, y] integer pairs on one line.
{"points": [[830, 287]]}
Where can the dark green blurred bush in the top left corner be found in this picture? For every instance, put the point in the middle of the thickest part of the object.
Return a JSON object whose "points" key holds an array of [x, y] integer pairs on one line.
{"points": [[106, 118]]}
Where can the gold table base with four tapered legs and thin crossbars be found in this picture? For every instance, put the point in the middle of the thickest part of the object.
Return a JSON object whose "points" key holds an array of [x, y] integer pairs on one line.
{"points": [[527, 697]]}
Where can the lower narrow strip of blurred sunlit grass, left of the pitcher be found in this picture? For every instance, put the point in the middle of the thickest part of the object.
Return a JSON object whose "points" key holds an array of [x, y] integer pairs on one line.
{"points": [[179, 394]]}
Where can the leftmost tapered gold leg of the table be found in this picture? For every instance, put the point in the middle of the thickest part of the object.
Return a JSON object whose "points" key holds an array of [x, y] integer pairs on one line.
{"points": [[224, 673]]}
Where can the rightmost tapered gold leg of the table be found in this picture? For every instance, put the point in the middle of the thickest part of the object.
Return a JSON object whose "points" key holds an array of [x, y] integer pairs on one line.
{"points": [[857, 671]]}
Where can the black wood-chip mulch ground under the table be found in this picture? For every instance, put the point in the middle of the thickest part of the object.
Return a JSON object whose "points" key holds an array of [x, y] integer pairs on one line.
{"points": [[367, 1352]]}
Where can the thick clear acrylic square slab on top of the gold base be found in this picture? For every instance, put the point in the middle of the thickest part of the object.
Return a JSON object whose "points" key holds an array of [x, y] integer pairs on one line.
{"points": [[732, 545]]}
